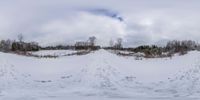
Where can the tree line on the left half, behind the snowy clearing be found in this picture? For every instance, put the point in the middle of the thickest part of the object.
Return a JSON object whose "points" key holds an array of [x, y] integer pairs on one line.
{"points": [[20, 45]]}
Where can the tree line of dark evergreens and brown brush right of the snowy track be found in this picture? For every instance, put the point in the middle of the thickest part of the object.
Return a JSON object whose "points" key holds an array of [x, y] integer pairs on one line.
{"points": [[171, 48]]}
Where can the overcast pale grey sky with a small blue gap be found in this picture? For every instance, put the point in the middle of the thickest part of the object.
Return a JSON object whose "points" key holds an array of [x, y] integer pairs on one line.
{"points": [[137, 22]]}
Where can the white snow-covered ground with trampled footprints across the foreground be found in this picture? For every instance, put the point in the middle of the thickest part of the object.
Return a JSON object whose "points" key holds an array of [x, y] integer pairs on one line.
{"points": [[99, 75]]}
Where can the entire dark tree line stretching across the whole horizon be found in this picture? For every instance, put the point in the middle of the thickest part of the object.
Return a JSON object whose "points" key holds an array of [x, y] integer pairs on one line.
{"points": [[171, 48]]}
